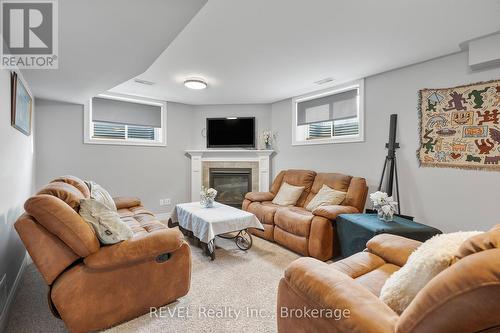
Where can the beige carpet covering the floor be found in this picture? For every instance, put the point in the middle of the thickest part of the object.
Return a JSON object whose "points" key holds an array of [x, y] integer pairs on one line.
{"points": [[236, 282]]}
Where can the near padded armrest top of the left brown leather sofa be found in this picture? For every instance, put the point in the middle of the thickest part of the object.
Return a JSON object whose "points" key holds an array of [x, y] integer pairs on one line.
{"points": [[145, 247]]}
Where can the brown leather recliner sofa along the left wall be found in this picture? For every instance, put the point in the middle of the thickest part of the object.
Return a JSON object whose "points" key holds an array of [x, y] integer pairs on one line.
{"points": [[92, 287]]}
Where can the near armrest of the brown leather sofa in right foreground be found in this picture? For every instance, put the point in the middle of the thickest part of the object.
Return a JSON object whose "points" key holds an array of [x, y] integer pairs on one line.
{"points": [[323, 287]]}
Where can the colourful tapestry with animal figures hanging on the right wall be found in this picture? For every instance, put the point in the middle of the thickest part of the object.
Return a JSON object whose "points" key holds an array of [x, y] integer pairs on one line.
{"points": [[459, 127]]}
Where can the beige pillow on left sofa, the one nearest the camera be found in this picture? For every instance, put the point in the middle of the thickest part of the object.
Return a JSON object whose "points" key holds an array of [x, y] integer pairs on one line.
{"points": [[107, 224]]}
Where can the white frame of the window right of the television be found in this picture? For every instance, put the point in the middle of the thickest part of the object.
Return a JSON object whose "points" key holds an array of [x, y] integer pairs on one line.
{"points": [[360, 137]]}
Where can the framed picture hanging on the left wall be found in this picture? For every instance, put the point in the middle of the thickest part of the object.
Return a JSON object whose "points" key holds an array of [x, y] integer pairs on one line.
{"points": [[21, 105]]}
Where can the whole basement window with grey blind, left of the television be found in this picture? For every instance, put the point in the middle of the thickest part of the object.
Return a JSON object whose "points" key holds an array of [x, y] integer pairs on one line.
{"points": [[124, 120]]}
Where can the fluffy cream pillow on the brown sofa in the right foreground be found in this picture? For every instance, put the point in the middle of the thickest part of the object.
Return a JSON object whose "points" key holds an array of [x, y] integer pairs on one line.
{"points": [[432, 257]]}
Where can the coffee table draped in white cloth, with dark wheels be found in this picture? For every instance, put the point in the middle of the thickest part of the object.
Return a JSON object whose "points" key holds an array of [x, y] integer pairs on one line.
{"points": [[207, 223]]}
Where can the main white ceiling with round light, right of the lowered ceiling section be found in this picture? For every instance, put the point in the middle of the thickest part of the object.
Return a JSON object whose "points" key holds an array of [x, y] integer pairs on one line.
{"points": [[261, 51]]}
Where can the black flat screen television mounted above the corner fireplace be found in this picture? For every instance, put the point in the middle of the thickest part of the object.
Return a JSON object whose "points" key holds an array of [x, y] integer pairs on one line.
{"points": [[231, 132]]}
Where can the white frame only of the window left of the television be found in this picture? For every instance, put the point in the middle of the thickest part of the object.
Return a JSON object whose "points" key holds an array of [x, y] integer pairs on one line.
{"points": [[89, 128]]}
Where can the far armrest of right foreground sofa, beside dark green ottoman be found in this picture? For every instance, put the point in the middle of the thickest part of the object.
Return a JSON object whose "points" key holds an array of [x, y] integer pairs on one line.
{"points": [[392, 248]]}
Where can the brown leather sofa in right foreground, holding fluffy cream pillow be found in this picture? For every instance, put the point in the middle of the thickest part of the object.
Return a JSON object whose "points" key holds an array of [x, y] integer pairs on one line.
{"points": [[463, 298]]}
